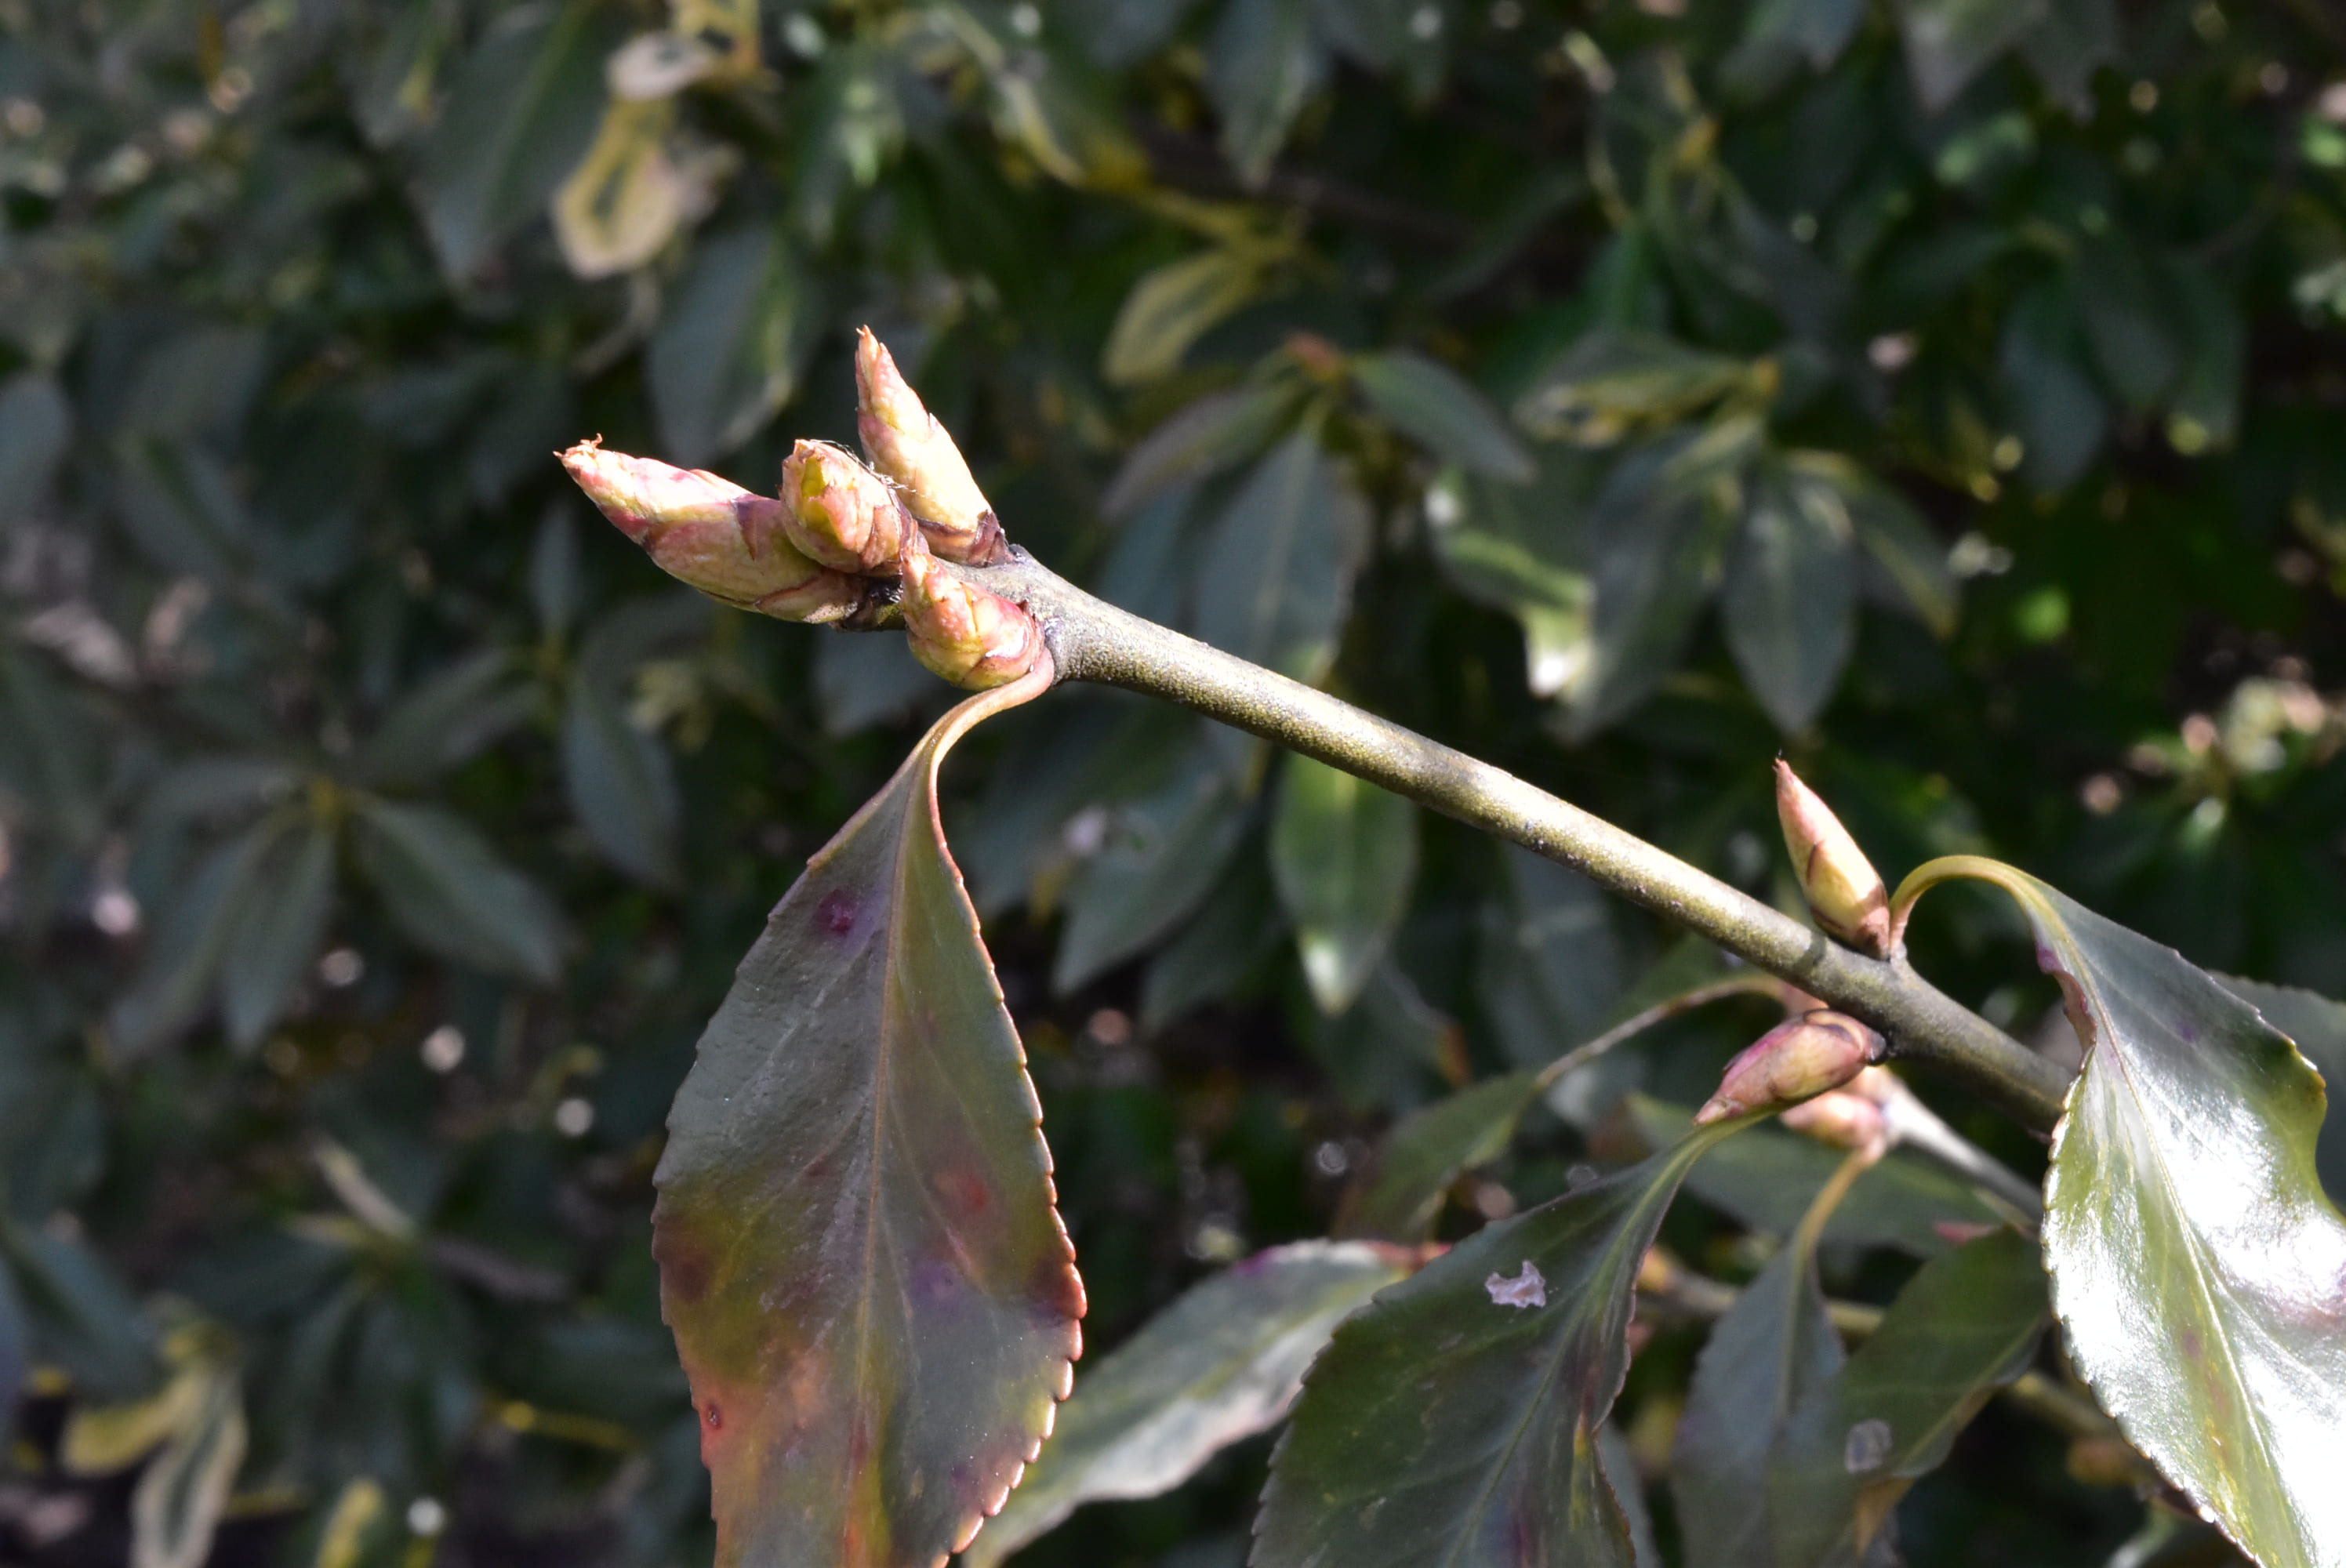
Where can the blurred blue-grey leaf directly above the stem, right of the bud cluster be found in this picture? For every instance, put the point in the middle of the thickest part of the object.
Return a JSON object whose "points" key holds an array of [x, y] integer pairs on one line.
{"points": [[1275, 581]]}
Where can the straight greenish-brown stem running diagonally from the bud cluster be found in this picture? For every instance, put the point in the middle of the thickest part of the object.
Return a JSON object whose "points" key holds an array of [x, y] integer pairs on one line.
{"points": [[1097, 642]]}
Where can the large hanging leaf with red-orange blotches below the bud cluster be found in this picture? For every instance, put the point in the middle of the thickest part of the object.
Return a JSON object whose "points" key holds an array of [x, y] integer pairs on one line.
{"points": [[857, 1248]]}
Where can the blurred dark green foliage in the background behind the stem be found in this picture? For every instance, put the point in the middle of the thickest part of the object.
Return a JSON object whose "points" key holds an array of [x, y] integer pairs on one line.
{"points": [[330, 715]]}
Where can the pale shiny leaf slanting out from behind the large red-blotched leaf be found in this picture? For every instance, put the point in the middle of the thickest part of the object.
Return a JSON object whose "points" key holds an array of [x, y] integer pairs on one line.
{"points": [[1219, 1365]]}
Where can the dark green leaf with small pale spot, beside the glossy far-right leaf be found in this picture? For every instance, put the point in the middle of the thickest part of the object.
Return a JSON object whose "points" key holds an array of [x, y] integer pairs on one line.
{"points": [[1960, 1330]]}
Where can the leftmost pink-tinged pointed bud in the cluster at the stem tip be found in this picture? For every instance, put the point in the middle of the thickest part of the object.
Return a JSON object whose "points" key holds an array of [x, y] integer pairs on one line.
{"points": [[714, 536]]}
